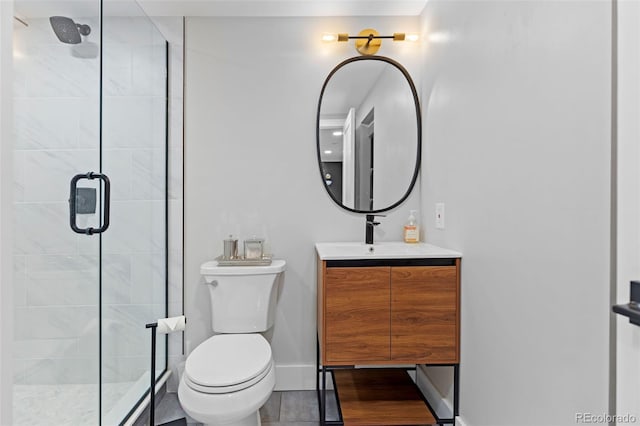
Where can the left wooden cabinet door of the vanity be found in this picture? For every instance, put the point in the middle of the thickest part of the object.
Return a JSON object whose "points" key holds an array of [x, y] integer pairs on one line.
{"points": [[357, 315]]}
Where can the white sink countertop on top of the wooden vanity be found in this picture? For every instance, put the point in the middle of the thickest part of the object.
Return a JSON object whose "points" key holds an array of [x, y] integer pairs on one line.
{"points": [[382, 250]]}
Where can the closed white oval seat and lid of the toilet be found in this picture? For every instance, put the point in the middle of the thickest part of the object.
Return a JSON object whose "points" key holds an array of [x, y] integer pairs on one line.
{"points": [[228, 363]]}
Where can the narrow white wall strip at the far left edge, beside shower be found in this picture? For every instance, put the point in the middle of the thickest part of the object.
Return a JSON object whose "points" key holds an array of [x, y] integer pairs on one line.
{"points": [[6, 211]]}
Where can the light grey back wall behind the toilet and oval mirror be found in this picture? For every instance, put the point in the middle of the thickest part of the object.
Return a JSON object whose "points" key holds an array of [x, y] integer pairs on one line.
{"points": [[252, 88]]}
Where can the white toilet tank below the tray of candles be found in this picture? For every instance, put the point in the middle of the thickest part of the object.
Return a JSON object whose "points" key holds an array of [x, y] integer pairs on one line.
{"points": [[243, 298]]}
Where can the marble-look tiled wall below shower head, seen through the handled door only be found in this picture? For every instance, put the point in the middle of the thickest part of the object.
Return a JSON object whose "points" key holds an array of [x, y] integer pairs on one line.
{"points": [[56, 103]]}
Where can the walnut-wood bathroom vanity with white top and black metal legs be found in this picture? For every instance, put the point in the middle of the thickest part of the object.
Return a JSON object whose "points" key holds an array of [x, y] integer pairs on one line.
{"points": [[390, 305]]}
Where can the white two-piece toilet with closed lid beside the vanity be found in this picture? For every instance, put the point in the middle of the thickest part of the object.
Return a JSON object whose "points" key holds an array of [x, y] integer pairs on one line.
{"points": [[229, 376]]}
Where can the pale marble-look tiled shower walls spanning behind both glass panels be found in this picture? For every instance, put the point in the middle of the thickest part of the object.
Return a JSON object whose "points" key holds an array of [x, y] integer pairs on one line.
{"points": [[56, 271]]}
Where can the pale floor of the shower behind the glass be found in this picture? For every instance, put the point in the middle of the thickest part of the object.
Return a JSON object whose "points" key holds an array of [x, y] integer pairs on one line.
{"points": [[65, 405]]}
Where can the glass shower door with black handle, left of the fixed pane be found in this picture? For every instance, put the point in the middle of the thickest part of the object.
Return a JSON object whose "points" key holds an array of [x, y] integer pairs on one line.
{"points": [[56, 271]]}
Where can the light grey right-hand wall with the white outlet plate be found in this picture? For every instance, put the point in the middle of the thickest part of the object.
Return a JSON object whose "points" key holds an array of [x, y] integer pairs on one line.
{"points": [[517, 106]]}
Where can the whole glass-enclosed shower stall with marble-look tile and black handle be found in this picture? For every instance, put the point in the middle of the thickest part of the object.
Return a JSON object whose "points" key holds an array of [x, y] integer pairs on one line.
{"points": [[90, 206]]}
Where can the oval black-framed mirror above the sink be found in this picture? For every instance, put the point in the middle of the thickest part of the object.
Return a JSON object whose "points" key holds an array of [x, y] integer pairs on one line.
{"points": [[368, 134]]}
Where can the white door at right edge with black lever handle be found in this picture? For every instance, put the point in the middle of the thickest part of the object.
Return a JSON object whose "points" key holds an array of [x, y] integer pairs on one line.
{"points": [[628, 208]]}
